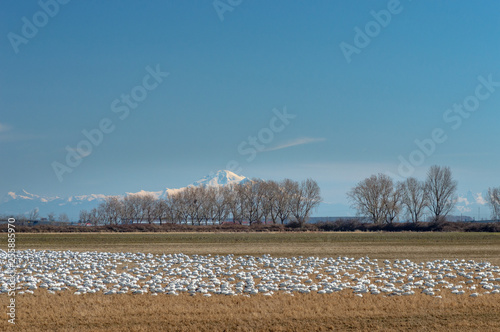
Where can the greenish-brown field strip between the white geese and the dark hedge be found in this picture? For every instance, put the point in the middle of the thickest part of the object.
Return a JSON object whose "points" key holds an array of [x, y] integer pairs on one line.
{"points": [[415, 246]]}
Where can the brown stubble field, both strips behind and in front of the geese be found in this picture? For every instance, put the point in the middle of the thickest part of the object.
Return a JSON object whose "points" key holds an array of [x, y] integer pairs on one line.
{"points": [[281, 312]]}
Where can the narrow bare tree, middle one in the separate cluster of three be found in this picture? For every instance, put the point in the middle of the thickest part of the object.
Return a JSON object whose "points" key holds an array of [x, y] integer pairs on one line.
{"points": [[414, 198]]}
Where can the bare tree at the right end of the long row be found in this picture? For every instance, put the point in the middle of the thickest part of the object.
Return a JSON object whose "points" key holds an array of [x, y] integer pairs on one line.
{"points": [[307, 196]]}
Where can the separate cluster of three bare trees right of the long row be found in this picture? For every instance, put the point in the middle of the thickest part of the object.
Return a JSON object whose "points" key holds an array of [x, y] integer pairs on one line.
{"points": [[383, 201]]}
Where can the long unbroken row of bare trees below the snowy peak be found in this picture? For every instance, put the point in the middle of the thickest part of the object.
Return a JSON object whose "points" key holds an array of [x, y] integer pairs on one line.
{"points": [[253, 201]]}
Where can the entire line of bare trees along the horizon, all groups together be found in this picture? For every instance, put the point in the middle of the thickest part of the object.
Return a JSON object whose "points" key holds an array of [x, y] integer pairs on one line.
{"points": [[378, 198]]}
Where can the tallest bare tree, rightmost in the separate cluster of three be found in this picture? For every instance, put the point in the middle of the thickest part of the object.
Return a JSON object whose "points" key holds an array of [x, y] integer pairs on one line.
{"points": [[440, 188]]}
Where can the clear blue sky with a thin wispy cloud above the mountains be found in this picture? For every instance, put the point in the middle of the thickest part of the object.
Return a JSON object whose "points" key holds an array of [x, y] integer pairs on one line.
{"points": [[352, 118]]}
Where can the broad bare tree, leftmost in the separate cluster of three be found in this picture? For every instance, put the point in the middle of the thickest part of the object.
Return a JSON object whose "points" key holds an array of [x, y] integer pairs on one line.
{"points": [[370, 197]]}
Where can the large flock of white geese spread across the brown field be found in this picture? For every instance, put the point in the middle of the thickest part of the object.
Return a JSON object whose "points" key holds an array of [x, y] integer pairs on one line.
{"points": [[112, 273]]}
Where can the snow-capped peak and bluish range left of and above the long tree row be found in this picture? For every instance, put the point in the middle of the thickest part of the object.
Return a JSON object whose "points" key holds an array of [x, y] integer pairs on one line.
{"points": [[23, 202]]}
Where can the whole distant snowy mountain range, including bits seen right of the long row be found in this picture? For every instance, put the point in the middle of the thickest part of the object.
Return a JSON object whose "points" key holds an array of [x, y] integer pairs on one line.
{"points": [[15, 203]]}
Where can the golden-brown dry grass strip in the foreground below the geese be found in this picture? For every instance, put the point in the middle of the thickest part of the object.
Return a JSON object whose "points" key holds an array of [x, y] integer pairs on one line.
{"points": [[67, 312]]}
